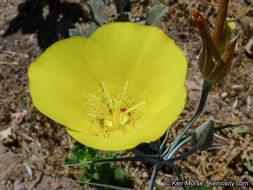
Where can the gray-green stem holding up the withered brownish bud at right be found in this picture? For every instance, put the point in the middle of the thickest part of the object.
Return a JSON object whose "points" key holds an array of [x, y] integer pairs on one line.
{"points": [[206, 87]]}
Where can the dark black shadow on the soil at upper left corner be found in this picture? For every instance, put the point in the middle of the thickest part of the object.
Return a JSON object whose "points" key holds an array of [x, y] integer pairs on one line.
{"points": [[49, 19]]}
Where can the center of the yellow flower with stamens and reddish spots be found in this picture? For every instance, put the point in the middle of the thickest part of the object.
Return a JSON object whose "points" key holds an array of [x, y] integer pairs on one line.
{"points": [[114, 111]]}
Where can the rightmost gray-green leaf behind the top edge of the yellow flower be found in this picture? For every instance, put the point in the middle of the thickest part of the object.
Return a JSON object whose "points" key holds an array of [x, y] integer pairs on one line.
{"points": [[155, 14]]}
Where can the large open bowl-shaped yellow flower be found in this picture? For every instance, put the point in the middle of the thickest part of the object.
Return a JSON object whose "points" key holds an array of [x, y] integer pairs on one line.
{"points": [[122, 86]]}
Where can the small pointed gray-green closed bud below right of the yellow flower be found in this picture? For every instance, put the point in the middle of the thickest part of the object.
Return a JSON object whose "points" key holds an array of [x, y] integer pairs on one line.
{"points": [[202, 137]]}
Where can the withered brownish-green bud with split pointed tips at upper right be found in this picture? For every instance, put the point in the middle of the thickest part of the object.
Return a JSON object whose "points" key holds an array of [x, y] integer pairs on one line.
{"points": [[215, 62]]}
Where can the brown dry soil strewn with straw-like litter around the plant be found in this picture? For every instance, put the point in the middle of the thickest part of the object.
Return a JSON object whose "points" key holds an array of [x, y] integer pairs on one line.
{"points": [[33, 148]]}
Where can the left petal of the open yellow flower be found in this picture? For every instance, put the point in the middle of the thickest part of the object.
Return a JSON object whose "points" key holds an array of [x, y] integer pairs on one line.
{"points": [[57, 80]]}
